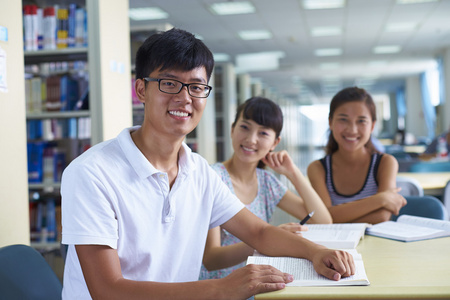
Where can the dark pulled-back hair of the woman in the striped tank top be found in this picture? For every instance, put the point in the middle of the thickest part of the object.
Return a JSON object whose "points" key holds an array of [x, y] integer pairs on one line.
{"points": [[350, 94]]}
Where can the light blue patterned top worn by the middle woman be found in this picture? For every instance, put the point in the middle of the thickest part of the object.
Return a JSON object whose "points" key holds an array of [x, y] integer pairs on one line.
{"points": [[270, 192]]}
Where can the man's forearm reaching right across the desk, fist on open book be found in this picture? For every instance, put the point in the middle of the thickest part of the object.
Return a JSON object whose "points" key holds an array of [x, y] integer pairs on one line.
{"points": [[274, 241]]}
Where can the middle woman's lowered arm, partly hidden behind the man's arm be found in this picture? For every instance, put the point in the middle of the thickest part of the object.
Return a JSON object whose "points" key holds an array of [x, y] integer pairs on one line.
{"points": [[218, 257]]}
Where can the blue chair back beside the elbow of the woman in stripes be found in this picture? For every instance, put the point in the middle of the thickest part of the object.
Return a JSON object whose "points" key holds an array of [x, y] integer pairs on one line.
{"points": [[423, 206]]}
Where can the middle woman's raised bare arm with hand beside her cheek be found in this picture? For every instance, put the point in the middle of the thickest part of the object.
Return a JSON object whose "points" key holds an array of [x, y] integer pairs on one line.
{"points": [[307, 199]]}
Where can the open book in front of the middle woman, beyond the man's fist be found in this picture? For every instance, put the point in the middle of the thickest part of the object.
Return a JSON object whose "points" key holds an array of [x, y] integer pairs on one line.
{"points": [[336, 236]]}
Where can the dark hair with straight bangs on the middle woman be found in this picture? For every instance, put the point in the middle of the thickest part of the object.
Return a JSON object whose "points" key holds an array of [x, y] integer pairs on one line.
{"points": [[264, 112]]}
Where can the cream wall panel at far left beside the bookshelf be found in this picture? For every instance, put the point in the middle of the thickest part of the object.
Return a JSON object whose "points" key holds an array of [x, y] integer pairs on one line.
{"points": [[14, 220]]}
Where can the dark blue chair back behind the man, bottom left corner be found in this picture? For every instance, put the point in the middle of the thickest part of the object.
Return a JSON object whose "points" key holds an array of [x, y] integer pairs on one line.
{"points": [[25, 274]]}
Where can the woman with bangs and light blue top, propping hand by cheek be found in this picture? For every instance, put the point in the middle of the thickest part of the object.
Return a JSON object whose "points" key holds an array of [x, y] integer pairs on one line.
{"points": [[255, 133]]}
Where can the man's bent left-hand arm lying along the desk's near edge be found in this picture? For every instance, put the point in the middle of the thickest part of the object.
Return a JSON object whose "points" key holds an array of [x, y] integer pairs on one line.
{"points": [[101, 270]]}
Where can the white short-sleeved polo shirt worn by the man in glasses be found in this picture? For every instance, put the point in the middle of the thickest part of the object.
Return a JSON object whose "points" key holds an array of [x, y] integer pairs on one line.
{"points": [[112, 195]]}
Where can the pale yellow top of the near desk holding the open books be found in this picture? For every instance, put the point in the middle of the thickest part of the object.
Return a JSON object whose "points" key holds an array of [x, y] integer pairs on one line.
{"points": [[396, 270]]}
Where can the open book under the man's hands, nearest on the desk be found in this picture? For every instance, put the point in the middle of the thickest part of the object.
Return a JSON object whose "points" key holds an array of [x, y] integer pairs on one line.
{"points": [[305, 274]]}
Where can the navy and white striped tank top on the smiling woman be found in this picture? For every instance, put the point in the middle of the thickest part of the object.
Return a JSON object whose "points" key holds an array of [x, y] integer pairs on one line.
{"points": [[369, 188]]}
